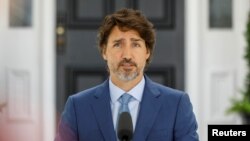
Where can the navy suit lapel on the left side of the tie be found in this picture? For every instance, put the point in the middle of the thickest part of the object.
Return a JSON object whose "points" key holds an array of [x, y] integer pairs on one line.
{"points": [[102, 110]]}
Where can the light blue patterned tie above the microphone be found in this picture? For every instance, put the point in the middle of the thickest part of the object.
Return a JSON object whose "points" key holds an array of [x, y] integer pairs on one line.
{"points": [[124, 100]]}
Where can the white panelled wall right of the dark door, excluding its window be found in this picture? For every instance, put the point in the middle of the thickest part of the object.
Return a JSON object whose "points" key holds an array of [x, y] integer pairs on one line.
{"points": [[215, 65]]}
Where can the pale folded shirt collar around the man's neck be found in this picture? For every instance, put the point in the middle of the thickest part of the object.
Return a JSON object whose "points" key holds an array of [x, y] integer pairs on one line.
{"points": [[136, 92]]}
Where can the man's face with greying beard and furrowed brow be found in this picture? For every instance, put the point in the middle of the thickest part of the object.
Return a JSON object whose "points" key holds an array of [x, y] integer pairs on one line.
{"points": [[126, 54]]}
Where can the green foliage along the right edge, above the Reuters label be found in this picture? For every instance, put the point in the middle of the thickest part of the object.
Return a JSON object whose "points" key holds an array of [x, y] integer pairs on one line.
{"points": [[242, 106]]}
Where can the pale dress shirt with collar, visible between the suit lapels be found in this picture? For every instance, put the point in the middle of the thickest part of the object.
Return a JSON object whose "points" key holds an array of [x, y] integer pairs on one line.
{"points": [[134, 105]]}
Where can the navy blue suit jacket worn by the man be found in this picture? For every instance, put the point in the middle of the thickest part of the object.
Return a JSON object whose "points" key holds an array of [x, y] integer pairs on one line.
{"points": [[165, 115]]}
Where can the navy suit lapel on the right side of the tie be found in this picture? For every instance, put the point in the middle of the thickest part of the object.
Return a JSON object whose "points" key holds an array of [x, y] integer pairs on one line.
{"points": [[149, 108]]}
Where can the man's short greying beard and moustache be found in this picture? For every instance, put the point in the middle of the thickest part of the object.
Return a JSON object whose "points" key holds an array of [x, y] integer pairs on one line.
{"points": [[126, 74]]}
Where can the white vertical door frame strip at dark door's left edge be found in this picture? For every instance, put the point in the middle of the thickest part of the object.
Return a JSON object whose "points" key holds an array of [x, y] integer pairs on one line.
{"points": [[48, 77]]}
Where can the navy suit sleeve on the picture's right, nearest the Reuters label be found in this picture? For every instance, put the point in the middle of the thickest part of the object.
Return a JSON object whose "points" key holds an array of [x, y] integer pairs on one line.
{"points": [[186, 124]]}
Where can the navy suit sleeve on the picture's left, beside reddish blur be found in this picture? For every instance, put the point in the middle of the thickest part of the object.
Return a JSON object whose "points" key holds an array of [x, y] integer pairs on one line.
{"points": [[67, 128]]}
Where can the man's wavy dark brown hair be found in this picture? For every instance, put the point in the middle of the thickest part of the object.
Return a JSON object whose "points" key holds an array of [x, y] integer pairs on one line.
{"points": [[127, 19]]}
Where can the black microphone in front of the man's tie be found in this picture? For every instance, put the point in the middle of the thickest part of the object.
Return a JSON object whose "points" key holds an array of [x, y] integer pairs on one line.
{"points": [[125, 127]]}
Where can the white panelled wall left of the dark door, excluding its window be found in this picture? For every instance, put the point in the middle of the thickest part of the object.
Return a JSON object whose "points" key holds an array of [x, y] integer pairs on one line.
{"points": [[27, 74]]}
